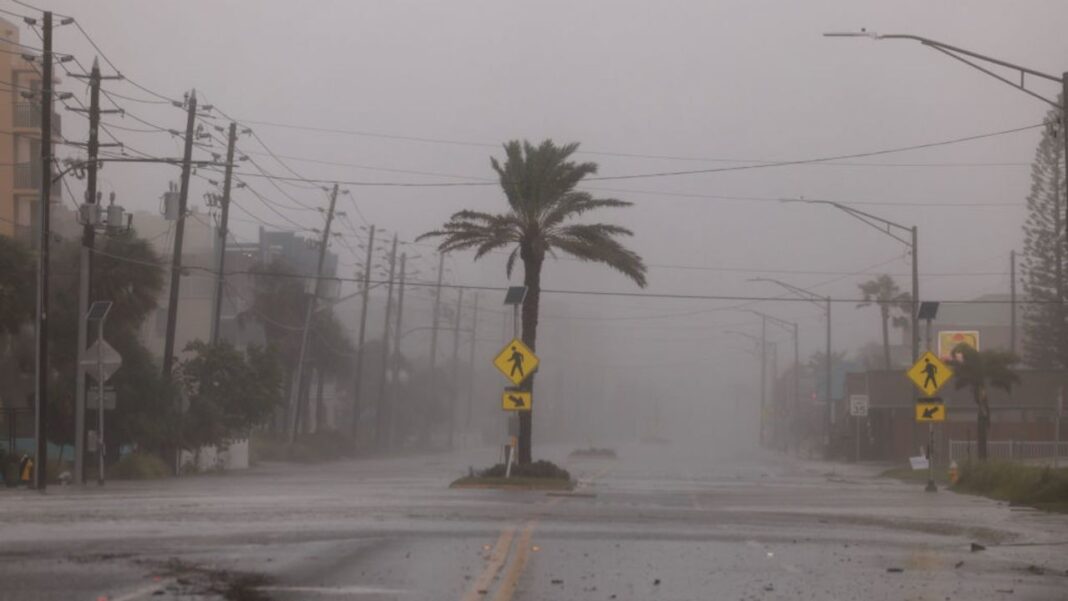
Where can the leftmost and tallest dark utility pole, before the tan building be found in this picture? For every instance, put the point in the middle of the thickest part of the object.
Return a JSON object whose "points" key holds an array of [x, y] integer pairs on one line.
{"points": [[44, 213]]}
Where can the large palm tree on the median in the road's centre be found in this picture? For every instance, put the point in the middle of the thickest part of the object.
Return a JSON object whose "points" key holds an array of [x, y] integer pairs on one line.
{"points": [[540, 186]]}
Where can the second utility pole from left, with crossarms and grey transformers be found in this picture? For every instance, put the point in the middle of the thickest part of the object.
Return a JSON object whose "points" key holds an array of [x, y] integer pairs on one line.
{"points": [[91, 218]]}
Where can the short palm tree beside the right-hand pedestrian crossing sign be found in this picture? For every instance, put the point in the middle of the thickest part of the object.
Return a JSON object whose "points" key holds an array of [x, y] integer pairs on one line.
{"points": [[980, 370]]}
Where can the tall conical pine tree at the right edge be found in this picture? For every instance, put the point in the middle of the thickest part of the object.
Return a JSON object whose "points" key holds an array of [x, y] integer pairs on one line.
{"points": [[1046, 329]]}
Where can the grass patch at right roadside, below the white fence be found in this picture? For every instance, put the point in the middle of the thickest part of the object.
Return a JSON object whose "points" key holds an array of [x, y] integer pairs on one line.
{"points": [[1035, 486]]}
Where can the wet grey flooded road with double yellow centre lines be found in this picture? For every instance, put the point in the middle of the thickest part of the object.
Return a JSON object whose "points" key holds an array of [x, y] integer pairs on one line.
{"points": [[655, 525]]}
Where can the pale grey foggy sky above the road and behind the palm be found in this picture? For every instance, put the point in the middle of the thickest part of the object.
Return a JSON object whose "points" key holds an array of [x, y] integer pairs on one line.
{"points": [[372, 93]]}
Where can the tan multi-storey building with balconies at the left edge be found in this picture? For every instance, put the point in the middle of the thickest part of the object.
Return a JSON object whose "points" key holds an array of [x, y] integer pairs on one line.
{"points": [[21, 138]]}
